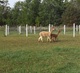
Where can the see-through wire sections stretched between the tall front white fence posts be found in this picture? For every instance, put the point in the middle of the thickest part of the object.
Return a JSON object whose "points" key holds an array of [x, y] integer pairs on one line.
{"points": [[21, 30]]}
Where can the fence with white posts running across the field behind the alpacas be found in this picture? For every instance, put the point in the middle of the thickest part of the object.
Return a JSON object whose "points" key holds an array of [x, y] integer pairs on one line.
{"points": [[34, 30]]}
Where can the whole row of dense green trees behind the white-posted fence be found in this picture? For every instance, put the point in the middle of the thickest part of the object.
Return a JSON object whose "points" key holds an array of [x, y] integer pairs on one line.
{"points": [[40, 12]]}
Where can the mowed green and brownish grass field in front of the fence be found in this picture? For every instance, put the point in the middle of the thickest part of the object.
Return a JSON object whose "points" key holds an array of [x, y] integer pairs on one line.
{"points": [[20, 54]]}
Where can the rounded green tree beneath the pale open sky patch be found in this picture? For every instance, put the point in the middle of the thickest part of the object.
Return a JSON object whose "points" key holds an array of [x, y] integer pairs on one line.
{"points": [[17, 14]]}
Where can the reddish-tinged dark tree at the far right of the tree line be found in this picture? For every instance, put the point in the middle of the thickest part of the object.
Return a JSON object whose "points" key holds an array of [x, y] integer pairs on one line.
{"points": [[71, 14]]}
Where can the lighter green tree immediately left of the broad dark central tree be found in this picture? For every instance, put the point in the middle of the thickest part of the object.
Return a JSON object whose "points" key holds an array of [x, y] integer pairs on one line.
{"points": [[32, 9]]}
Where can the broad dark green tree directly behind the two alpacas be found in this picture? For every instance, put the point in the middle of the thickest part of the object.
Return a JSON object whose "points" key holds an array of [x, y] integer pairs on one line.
{"points": [[51, 12]]}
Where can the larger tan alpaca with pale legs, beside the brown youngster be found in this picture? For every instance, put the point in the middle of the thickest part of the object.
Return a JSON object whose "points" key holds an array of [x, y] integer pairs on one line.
{"points": [[45, 34]]}
